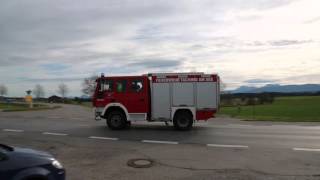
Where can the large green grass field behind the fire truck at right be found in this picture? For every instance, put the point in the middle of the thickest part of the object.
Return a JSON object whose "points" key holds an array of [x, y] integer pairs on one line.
{"points": [[298, 108]]}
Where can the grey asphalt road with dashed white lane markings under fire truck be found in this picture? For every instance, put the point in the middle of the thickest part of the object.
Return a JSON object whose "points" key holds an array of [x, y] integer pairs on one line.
{"points": [[221, 148]]}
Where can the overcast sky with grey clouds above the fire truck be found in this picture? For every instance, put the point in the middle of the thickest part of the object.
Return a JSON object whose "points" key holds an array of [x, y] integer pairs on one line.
{"points": [[247, 42]]}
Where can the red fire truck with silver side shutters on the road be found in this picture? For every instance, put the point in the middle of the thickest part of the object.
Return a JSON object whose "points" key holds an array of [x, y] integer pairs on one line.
{"points": [[180, 98]]}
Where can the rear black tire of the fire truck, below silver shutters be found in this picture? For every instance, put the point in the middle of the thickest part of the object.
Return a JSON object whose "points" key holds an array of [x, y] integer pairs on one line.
{"points": [[183, 120]]}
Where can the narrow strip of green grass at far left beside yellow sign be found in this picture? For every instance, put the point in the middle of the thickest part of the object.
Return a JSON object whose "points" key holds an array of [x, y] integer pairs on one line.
{"points": [[8, 107]]}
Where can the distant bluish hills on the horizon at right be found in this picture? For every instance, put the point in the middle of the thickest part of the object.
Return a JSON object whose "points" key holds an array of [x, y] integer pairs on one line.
{"points": [[279, 88]]}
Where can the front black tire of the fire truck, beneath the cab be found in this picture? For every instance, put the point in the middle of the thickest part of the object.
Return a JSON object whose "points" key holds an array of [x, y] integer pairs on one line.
{"points": [[116, 120]]}
